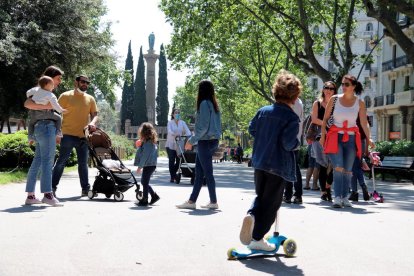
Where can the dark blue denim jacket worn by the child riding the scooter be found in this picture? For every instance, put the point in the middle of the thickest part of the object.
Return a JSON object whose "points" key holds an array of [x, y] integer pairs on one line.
{"points": [[275, 129]]}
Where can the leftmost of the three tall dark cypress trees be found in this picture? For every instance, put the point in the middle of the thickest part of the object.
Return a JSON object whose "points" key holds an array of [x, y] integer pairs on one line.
{"points": [[128, 91]]}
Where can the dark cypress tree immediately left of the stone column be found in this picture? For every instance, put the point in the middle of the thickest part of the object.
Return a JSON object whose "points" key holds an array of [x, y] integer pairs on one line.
{"points": [[140, 99]]}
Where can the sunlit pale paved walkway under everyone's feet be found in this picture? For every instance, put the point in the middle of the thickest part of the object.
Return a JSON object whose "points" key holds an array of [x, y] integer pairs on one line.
{"points": [[103, 237]]}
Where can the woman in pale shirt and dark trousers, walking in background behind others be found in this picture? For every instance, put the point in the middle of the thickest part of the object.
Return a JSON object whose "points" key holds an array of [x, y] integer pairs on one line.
{"points": [[176, 128]]}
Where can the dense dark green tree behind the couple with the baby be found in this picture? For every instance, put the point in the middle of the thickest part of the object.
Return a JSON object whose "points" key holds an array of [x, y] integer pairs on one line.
{"points": [[70, 34]]}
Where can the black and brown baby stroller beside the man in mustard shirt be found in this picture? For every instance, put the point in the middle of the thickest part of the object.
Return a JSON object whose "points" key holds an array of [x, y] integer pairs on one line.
{"points": [[113, 176]]}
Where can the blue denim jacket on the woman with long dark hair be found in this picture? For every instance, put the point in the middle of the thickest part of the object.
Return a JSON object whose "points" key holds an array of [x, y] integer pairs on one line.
{"points": [[208, 123]]}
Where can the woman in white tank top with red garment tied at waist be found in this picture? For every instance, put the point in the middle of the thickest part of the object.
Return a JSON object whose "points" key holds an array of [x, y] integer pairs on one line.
{"points": [[343, 142]]}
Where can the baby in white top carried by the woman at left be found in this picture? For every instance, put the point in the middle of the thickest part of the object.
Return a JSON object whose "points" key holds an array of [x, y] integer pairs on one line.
{"points": [[42, 94]]}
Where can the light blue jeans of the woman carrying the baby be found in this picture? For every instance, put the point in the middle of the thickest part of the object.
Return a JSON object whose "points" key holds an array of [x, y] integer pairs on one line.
{"points": [[45, 135]]}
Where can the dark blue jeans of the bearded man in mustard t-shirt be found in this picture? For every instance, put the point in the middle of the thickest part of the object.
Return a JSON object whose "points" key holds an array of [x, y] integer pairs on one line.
{"points": [[67, 144]]}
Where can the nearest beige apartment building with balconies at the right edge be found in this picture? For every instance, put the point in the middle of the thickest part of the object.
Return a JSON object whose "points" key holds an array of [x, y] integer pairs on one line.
{"points": [[393, 105]]}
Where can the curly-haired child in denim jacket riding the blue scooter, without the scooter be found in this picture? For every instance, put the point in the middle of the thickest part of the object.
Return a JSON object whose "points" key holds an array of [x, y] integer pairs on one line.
{"points": [[275, 129]]}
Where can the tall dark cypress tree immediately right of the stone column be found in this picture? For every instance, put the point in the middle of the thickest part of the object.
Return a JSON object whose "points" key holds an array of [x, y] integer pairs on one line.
{"points": [[162, 90]]}
